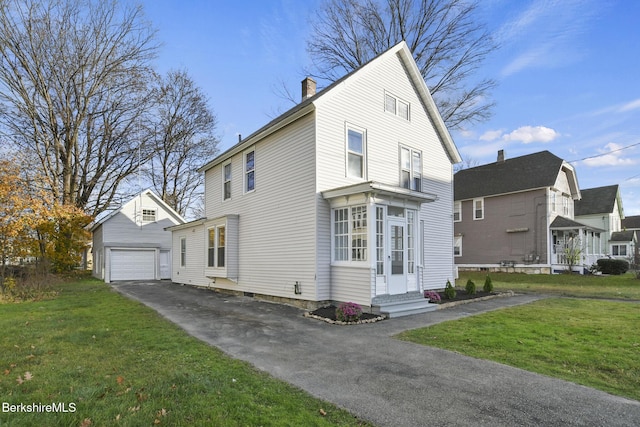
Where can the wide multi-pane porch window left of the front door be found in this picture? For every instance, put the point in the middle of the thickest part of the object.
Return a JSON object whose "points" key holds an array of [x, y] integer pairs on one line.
{"points": [[350, 234]]}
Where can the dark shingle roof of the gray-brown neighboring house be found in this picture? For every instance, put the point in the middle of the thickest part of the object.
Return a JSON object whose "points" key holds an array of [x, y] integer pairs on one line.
{"points": [[528, 172]]}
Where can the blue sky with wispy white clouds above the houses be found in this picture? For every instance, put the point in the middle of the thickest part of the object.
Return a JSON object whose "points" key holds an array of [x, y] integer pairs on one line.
{"points": [[567, 74]]}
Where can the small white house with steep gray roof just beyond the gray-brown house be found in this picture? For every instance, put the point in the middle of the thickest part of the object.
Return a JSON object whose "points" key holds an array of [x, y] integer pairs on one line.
{"points": [[601, 208]]}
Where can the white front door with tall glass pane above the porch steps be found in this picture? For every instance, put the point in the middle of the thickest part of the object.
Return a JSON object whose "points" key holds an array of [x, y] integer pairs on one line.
{"points": [[397, 265]]}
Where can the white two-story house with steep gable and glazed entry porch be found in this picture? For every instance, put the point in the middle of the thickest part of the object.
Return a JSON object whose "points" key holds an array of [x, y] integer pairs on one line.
{"points": [[345, 197]]}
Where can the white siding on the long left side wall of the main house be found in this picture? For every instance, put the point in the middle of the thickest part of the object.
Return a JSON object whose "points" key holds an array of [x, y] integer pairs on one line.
{"points": [[277, 223]]}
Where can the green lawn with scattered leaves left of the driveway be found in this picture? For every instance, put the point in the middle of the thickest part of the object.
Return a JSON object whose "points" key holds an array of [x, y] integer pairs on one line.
{"points": [[120, 363]]}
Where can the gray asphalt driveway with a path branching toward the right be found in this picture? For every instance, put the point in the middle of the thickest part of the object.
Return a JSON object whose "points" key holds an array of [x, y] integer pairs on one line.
{"points": [[376, 377]]}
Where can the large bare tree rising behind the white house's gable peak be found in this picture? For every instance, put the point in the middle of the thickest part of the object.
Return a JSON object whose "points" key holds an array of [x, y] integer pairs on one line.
{"points": [[446, 37]]}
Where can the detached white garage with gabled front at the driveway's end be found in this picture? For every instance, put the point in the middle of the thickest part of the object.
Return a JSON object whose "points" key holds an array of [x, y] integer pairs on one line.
{"points": [[131, 243]]}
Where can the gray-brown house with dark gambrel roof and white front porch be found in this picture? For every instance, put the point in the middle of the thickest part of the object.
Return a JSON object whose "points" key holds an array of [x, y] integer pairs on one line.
{"points": [[518, 215]]}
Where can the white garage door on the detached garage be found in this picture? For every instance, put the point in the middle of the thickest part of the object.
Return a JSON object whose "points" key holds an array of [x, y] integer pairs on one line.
{"points": [[133, 264]]}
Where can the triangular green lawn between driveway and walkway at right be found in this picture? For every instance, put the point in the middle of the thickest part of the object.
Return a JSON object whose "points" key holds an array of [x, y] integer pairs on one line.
{"points": [[590, 342]]}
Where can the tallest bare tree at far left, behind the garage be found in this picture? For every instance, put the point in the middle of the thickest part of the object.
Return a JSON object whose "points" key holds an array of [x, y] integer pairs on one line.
{"points": [[73, 91]]}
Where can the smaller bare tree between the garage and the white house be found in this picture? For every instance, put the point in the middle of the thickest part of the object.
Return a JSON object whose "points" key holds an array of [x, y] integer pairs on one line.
{"points": [[184, 139]]}
